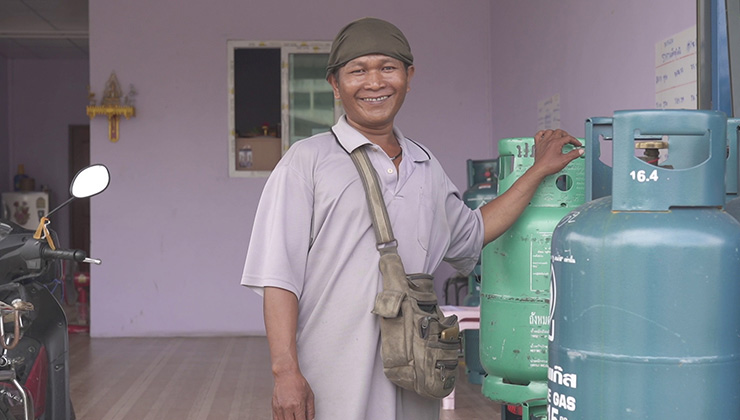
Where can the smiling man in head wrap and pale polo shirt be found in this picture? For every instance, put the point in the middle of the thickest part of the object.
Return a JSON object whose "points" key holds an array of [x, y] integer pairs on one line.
{"points": [[312, 252]]}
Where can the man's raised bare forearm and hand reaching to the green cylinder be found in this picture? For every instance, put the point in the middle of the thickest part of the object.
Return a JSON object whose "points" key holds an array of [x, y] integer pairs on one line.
{"points": [[502, 212]]}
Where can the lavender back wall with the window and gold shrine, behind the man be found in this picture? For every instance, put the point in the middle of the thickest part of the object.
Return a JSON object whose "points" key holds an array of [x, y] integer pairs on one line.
{"points": [[173, 228]]}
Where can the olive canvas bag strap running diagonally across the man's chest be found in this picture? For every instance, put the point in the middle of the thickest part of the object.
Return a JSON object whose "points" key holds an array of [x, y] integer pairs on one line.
{"points": [[381, 222]]}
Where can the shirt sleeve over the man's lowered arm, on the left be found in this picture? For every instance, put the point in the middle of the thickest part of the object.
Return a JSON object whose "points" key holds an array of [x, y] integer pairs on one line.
{"points": [[278, 248]]}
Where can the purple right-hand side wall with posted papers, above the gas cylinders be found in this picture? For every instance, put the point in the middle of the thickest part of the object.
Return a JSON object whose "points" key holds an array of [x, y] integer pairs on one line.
{"points": [[599, 56]]}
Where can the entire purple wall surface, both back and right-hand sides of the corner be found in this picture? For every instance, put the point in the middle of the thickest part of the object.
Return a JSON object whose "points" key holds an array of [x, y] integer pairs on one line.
{"points": [[173, 227]]}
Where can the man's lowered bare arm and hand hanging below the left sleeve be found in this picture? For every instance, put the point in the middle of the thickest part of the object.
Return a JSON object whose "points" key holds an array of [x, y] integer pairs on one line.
{"points": [[292, 396]]}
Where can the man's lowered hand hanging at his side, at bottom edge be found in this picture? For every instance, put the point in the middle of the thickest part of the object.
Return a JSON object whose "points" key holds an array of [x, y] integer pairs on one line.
{"points": [[292, 398]]}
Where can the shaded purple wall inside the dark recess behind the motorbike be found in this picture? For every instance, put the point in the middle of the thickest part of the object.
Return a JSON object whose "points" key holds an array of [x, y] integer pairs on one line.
{"points": [[43, 98]]}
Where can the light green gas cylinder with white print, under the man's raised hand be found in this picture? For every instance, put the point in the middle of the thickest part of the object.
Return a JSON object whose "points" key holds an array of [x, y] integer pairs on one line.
{"points": [[516, 280]]}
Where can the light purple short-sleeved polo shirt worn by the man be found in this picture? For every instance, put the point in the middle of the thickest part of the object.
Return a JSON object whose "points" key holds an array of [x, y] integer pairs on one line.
{"points": [[313, 236]]}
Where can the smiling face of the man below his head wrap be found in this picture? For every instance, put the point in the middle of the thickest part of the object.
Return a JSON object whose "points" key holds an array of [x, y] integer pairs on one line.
{"points": [[372, 89]]}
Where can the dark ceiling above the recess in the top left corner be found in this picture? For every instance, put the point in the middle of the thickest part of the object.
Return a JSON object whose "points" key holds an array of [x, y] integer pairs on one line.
{"points": [[44, 29]]}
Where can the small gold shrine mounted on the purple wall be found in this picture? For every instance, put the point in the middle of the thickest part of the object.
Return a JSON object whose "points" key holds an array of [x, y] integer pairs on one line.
{"points": [[113, 105]]}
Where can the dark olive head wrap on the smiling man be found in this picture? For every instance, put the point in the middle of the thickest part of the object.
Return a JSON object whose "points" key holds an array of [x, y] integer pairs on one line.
{"points": [[368, 36]]}
